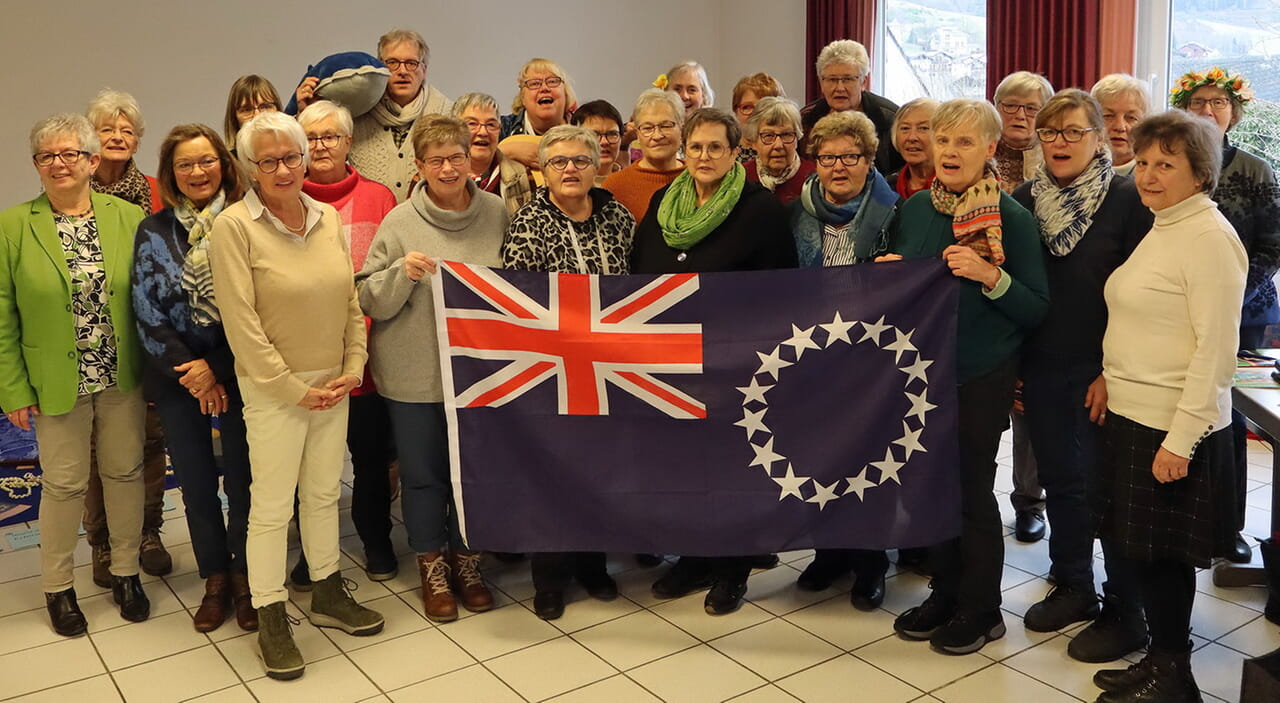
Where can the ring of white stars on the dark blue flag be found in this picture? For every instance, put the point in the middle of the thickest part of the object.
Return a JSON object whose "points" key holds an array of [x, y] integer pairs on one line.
{"points": [[898, 454]]}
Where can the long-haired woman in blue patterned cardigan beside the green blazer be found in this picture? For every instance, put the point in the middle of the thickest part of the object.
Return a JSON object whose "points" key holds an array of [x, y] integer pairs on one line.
{"points": [[189, 372]]}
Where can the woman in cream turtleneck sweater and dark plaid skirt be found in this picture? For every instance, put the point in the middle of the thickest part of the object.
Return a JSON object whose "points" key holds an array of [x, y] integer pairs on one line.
{"points": [[1168, 360]]}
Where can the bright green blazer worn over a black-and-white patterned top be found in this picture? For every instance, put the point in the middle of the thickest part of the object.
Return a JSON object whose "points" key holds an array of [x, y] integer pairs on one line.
{"points": [[39, 364]]}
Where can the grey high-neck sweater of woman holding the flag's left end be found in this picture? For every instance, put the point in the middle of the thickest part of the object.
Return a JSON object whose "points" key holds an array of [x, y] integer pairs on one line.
{"points": [[404, 354]]}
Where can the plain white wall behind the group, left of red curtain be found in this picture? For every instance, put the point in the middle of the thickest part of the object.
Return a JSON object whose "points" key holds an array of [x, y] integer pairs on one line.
{"points": [[180, 60]]}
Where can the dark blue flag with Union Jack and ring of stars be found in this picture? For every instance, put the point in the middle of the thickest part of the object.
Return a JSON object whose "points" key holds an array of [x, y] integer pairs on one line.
{"points": [[702, 414]]}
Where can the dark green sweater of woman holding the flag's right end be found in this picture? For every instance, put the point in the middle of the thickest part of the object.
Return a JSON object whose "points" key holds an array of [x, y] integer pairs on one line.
{"points": [[990, 331]]}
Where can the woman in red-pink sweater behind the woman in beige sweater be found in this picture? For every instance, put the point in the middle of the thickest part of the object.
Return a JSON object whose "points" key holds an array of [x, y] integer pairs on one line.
{"points": [[362, 206]]}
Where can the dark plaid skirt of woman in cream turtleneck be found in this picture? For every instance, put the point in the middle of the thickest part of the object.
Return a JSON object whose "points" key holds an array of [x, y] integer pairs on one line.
{"points": [[1191, 521]]}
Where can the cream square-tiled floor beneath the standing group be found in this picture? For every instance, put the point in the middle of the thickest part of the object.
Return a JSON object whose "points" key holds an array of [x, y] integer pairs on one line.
{"points": [[783, 646]]}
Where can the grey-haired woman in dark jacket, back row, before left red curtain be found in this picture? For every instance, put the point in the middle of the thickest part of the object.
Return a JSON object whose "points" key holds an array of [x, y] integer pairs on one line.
{"points": [[844, 74]]}
